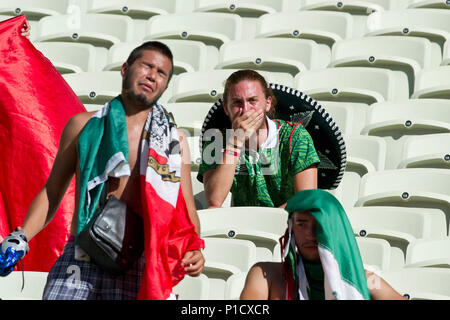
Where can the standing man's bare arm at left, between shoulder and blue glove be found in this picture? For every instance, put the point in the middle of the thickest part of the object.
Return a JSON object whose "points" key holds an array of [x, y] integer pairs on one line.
{"points": [[46, 202]]}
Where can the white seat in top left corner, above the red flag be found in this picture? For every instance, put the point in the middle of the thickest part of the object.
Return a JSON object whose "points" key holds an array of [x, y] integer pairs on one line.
{"points": [[34, 9]]}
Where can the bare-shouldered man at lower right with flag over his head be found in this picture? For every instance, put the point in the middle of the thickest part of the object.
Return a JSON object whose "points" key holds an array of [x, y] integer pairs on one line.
{"points": [[321, 259]]}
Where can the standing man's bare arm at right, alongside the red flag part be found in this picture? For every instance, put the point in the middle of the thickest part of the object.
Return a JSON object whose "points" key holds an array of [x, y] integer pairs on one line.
{"points": [[186, 184]]}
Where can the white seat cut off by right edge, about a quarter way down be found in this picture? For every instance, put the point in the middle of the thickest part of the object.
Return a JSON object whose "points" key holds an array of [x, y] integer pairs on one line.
{"points": [[433, 83]]}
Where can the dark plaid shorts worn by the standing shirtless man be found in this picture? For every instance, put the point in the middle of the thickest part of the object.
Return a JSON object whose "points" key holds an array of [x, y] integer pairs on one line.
{"points": [[70, 279]]}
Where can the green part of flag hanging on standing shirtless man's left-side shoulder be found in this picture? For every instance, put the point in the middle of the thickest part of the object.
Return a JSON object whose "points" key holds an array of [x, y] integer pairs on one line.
{"points": [[102, 148]]}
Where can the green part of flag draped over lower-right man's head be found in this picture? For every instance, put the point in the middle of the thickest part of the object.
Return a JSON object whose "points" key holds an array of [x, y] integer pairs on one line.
{"points": [[334, 233]]}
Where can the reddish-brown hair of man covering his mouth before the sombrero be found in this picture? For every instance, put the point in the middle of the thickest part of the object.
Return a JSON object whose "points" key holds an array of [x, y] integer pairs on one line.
{"points": [[251, 75]]}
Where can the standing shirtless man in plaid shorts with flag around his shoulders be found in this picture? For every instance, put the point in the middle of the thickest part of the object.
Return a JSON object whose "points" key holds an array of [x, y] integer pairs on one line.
{"points": [[140, 129]]}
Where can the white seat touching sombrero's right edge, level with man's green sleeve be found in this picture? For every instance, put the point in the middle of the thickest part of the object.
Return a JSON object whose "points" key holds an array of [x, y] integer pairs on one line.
{"points": [[365, 153]]}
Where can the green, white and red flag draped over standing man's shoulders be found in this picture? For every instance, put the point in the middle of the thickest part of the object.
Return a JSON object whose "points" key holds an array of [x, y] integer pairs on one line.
{"points": [[168, 230]]}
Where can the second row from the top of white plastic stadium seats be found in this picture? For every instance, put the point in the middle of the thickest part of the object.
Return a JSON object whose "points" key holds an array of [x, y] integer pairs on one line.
{"points": [[215, 28]]}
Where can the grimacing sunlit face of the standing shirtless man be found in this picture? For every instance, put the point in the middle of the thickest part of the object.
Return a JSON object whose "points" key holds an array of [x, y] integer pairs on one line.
{"points": [[146, 79]]}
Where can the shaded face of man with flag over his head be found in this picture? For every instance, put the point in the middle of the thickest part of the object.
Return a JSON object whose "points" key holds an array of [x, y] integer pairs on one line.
{"points": [[304, 228]]}
